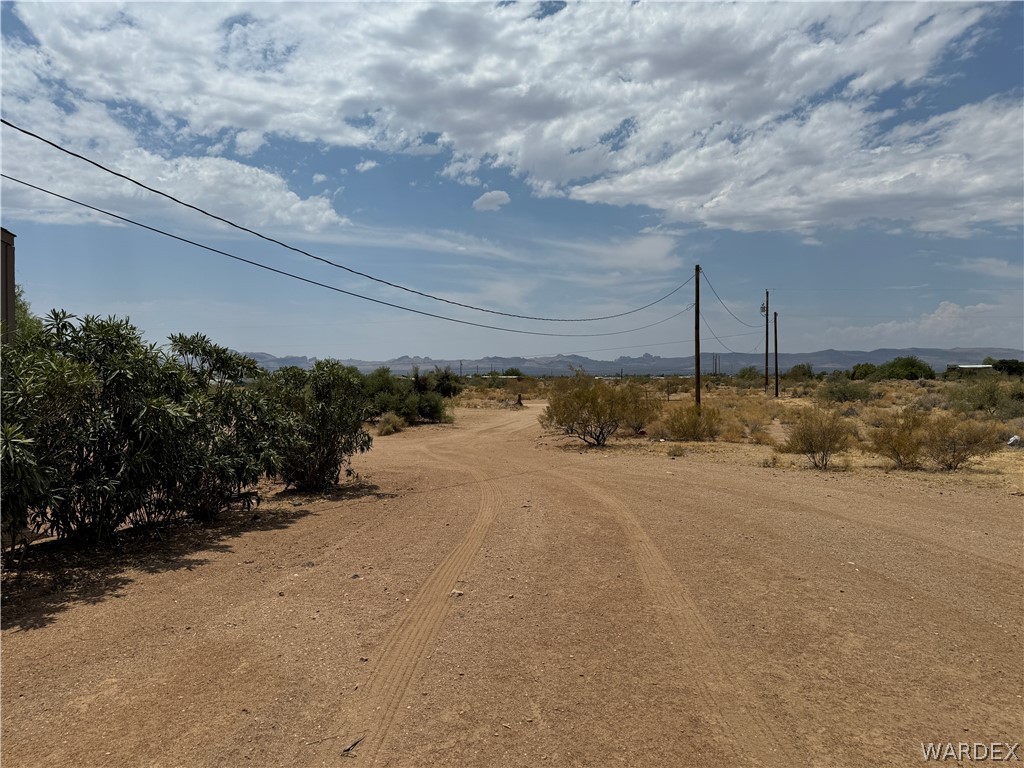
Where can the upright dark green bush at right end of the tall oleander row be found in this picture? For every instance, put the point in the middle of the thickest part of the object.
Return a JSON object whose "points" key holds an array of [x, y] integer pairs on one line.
{"points": [[325, 409]]}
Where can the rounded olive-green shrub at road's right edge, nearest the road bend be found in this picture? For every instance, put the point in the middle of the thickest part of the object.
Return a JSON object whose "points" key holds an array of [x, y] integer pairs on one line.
{"points": [[584, 407]]}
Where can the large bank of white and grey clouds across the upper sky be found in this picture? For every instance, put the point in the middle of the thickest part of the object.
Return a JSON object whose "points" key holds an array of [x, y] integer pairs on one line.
{"points": [[741, 117]]}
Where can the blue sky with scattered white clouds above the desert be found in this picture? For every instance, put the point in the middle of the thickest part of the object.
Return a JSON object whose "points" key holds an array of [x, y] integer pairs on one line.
{"points": [[864, 162]]}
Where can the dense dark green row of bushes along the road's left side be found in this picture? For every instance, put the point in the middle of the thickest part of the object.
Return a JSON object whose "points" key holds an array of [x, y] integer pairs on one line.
{"points": [[103, 432]]}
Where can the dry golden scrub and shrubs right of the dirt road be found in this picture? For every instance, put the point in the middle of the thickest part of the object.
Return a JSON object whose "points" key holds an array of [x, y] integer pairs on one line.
{"points": [[902, 412]]}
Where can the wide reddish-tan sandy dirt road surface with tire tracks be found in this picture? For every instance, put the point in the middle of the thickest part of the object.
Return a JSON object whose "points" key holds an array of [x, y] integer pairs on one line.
{"points": [[490, 595]]}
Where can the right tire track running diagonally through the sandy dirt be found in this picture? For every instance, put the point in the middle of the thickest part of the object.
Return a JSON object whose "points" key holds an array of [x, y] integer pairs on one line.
{"points": [[752, 738]]}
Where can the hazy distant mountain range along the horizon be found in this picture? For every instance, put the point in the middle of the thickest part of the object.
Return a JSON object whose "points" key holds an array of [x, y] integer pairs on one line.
{"points": [[731, 363]]}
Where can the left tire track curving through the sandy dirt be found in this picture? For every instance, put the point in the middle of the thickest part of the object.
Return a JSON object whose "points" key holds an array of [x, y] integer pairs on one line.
{"points": [[404, 650]]}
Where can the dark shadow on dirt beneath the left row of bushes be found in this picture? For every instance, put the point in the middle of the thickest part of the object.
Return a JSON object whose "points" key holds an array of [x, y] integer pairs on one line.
{"points": [[51, 576]]}
